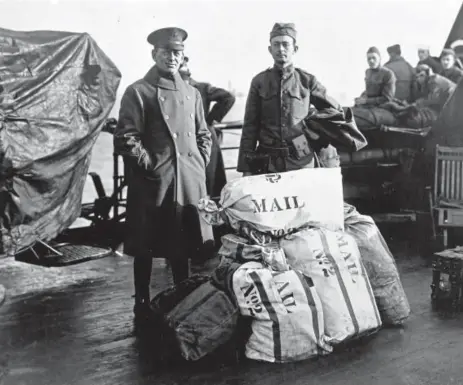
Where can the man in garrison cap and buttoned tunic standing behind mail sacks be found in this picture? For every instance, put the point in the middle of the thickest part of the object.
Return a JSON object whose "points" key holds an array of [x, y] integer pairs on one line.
{"points": [[274, 136]]}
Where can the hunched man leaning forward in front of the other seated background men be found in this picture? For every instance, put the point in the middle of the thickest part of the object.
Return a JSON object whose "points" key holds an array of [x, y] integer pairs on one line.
{"points": [[435, 91]]}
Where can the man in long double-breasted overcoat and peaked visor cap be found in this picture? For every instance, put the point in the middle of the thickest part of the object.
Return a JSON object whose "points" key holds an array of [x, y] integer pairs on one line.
{"points": [[163, 137]]}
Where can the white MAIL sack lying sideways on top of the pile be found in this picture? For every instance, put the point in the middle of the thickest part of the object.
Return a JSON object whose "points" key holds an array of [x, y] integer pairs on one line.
{"points": [[277, 204]]}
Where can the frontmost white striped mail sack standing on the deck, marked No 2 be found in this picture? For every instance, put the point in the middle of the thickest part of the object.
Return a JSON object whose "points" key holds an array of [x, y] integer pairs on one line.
{"points": [[287, 314]]}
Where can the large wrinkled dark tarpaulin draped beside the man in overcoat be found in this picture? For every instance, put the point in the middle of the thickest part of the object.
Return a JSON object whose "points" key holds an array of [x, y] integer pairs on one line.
{"points": [[56, 90]]}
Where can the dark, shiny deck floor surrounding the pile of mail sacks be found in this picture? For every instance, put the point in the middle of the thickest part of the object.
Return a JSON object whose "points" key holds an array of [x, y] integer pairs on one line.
{"points": [[73, 325]]}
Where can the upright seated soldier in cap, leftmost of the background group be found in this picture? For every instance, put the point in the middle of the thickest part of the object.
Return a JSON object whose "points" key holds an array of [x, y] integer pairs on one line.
{"points": [[380, 82]]}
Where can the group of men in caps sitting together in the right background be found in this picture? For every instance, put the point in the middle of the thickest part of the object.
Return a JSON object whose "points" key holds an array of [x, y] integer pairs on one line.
{"points": [[415, 95]]}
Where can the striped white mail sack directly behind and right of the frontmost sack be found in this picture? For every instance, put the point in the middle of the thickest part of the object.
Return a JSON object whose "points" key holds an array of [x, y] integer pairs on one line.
{"points": [[332, 260]]}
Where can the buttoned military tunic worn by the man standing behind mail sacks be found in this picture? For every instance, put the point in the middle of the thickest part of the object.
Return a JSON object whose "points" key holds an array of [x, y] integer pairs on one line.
{"points": [[277, 104]]}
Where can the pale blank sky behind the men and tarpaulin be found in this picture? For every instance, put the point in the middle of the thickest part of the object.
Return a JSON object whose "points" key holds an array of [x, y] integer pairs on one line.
{"points": [[228, 39]]}
